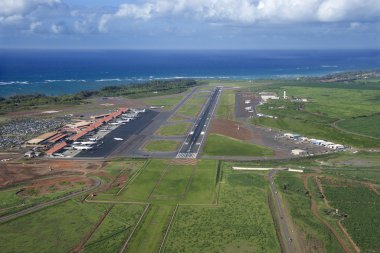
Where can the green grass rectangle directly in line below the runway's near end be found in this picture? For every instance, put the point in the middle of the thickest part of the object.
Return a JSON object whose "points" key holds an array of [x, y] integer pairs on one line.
{"points": [[174, 183]]}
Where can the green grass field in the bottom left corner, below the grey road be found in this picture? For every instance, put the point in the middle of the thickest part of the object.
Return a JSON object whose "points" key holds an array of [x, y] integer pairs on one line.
{"points": [[58, 228]]}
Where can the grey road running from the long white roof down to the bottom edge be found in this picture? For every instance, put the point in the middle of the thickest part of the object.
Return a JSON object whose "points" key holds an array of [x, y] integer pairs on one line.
{"points": [[287, 240]]}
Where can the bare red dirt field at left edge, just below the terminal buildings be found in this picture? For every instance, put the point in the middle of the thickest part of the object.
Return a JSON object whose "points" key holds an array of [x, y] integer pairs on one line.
{"points": [[11, 173]]}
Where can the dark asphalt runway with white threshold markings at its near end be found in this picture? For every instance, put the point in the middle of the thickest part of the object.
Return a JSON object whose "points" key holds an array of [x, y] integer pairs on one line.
{"points": [[194, 140]]}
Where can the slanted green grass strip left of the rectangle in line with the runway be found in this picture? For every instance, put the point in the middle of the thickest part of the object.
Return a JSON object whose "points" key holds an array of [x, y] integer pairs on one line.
{"points": [[143, 185]]}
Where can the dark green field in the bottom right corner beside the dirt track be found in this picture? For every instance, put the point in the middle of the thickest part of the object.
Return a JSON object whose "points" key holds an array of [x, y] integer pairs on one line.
{"points": [[361, 205]]}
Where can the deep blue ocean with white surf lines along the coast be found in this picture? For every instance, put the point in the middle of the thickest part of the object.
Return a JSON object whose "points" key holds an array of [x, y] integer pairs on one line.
{"points": [[55, 72]]}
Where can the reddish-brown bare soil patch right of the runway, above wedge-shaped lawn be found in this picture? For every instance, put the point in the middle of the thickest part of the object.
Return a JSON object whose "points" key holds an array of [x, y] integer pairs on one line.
{"points": [[231, 128]]}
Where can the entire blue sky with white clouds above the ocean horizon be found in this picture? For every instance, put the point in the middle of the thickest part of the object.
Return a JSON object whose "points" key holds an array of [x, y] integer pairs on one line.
{"points": [[190, 24]]}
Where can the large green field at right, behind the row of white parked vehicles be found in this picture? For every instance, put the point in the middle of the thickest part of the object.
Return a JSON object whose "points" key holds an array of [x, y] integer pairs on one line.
{"points": [[327, 104]]}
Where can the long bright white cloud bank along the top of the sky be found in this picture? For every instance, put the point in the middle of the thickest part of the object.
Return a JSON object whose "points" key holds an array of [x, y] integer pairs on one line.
{"points": [[250, 11]]}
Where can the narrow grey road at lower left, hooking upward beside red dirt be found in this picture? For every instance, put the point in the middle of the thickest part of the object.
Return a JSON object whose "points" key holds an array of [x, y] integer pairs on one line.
{"points": [[49, 203]]}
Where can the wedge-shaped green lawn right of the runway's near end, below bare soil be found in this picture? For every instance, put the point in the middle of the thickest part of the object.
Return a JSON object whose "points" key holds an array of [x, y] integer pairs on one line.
{"points": [[219, 145]]}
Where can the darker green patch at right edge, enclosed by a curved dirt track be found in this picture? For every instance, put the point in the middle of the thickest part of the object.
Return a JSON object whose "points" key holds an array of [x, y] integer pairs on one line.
{"points": [[366, 125]]}
